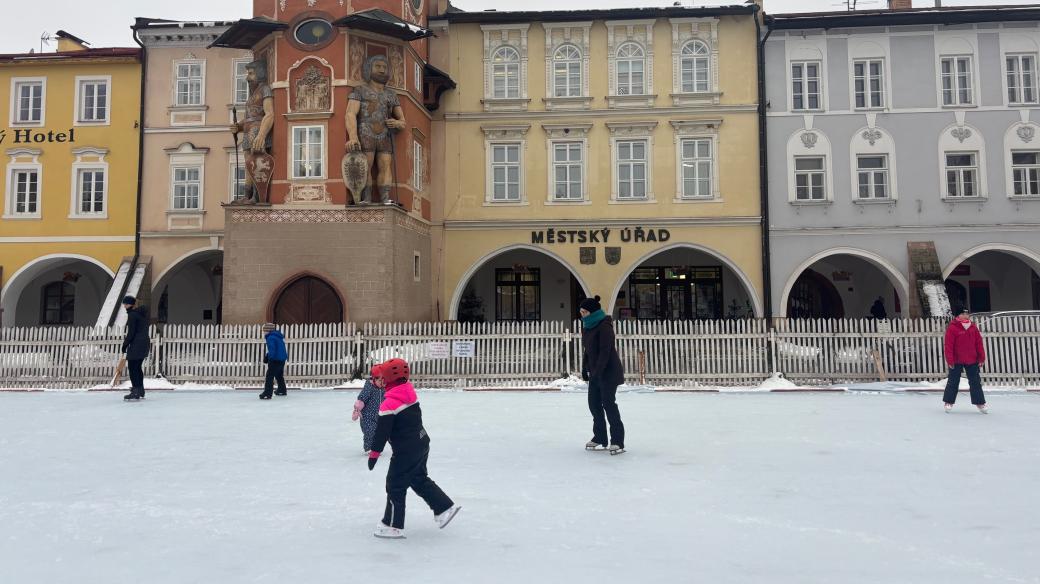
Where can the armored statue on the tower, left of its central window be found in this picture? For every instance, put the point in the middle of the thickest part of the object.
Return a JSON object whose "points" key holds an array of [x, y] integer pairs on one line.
{"points": [[256, 141]]}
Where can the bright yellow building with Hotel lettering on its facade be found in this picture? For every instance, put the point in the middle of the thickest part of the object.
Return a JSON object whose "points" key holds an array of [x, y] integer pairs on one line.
{"points": [[70, 144]]}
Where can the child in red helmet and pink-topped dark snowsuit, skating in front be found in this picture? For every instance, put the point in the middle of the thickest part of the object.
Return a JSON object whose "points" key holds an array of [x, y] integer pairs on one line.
{"points": [[401, 423]]}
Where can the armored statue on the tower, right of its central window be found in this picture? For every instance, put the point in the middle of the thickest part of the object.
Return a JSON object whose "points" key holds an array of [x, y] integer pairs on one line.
{"points": [[373, 112]]}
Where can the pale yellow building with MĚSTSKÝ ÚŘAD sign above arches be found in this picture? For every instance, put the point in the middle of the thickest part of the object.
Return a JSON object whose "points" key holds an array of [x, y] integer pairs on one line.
{"points": [[610, 153]]}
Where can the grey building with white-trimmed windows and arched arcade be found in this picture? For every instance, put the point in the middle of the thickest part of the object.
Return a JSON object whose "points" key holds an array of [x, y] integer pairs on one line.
{"points": [[899, 130]]}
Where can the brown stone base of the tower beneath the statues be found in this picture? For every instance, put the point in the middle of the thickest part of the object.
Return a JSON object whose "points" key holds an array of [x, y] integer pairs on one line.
{"points": [[376, 258]]}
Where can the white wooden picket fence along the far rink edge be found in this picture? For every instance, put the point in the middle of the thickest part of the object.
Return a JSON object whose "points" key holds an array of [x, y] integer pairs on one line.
{"points": [[685, 354]]}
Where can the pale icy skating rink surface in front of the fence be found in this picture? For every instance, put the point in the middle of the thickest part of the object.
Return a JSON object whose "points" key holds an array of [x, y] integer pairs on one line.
{"points": [[220, 487]]}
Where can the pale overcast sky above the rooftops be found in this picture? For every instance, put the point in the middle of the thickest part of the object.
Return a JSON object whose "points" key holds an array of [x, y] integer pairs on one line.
{"points": [[108, 23]]}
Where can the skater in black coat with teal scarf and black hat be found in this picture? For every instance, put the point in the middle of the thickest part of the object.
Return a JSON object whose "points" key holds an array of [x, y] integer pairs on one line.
{"points": [[602, 367]]}
